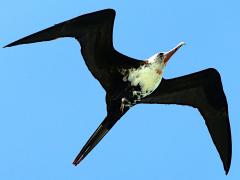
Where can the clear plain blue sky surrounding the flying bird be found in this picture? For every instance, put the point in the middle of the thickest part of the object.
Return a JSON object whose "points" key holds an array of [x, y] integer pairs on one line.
{"points": [[50, 104]]}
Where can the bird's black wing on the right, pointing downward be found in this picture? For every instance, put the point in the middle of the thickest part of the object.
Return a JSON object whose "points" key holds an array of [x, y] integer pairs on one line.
{"points": [[202, 90]]}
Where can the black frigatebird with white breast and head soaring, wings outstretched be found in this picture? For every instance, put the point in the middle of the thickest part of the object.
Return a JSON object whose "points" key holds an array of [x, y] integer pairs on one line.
{"points": [[128, 81]]}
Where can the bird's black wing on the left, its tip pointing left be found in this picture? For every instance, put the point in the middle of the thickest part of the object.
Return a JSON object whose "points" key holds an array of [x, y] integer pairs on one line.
{"points": [[93, 31]]}
